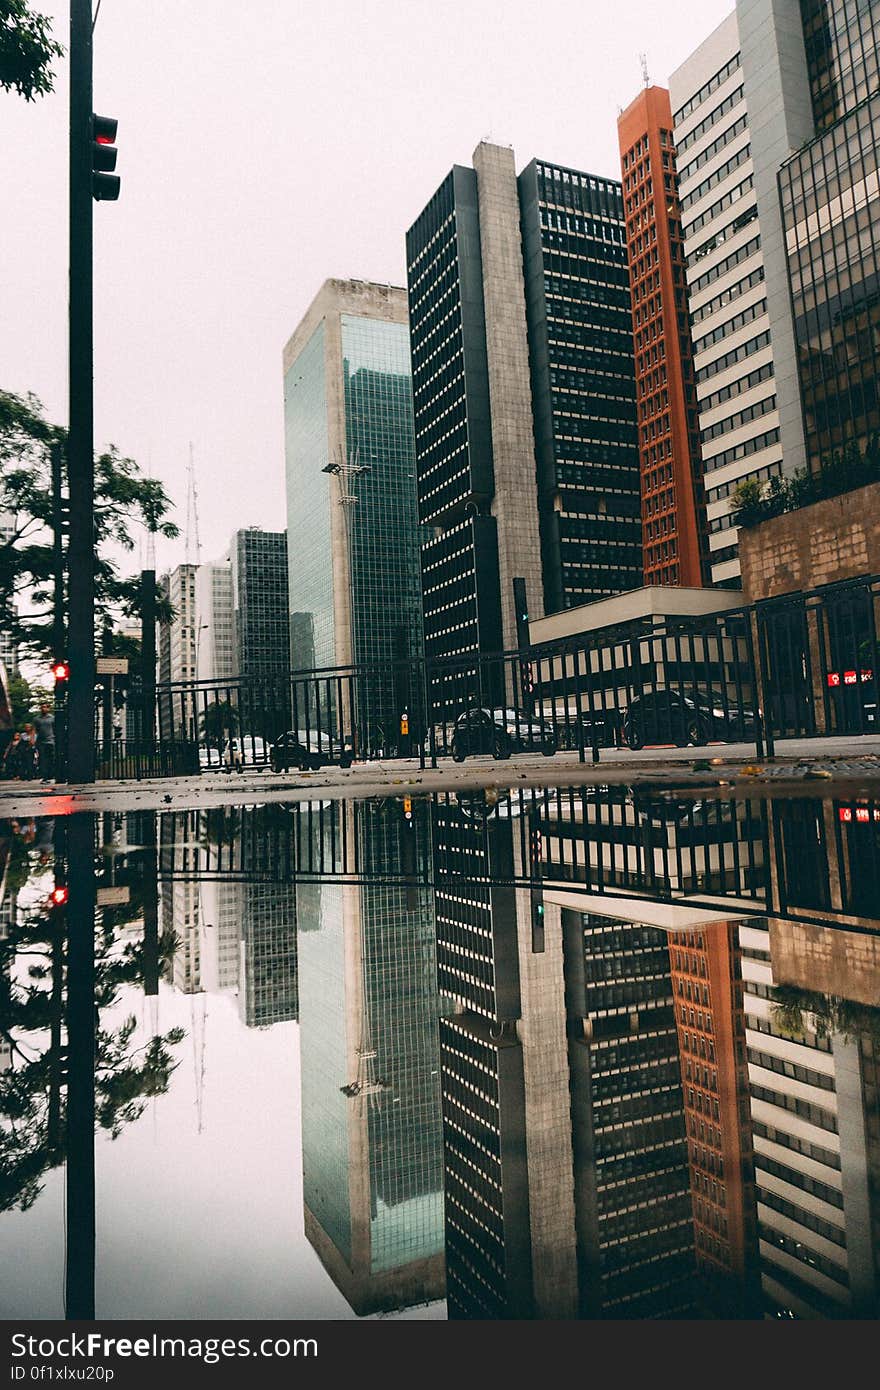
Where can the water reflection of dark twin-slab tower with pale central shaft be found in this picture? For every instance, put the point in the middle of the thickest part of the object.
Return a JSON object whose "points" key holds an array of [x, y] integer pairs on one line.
{"points": [[568, 1186]]}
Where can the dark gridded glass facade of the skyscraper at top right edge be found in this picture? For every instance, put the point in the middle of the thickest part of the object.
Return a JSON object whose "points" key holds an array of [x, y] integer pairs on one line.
{"points": [[831, 198]]}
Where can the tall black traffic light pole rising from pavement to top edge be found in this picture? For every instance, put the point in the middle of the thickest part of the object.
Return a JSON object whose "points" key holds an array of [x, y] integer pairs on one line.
{"points": [[81, 440]]}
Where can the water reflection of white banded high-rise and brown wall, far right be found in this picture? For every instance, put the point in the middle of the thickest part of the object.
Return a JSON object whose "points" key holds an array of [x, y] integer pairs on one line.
{"points": [[817, 1122]]}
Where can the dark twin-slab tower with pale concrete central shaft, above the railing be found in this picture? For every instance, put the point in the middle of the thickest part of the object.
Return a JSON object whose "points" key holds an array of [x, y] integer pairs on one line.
{"points": [[525, 400]]}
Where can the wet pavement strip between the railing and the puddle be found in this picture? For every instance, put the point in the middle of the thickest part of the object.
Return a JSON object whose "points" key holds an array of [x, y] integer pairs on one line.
{"points": [[818, 767]]}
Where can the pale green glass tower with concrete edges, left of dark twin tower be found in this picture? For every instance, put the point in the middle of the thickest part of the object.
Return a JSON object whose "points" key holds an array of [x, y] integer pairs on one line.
{"points": [[352, 518]]}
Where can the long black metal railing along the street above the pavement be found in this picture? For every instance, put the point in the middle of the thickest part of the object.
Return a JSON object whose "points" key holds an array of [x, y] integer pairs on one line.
{"points": [[795, 667]]}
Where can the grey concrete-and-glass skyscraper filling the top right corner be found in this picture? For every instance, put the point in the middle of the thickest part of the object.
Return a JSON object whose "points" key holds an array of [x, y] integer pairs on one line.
{"points": [[829, 190]]}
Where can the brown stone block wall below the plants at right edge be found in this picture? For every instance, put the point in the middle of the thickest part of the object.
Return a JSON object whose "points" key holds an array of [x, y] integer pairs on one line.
{"points": [[833, 540]]}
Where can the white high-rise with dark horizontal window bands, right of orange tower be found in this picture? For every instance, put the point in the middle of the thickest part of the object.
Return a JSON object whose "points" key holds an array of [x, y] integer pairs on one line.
{"points": [[740, 347]]}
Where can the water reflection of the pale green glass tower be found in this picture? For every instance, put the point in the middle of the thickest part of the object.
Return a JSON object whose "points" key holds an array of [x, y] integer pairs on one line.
{"points": [[370, 1096]]}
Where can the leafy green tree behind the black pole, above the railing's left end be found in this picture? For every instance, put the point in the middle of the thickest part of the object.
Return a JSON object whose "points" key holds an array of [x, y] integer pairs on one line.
{"points": [[123, 500]]}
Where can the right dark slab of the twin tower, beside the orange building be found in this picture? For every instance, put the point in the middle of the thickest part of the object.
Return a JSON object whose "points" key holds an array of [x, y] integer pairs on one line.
{"points": [[583, 377]]}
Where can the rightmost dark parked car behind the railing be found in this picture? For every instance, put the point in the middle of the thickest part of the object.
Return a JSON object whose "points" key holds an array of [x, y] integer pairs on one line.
{"points": [[668, 717]]}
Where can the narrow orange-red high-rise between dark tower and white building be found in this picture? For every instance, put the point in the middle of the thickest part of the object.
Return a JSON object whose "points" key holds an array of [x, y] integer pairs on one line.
{"points": [[675, 540]]}
